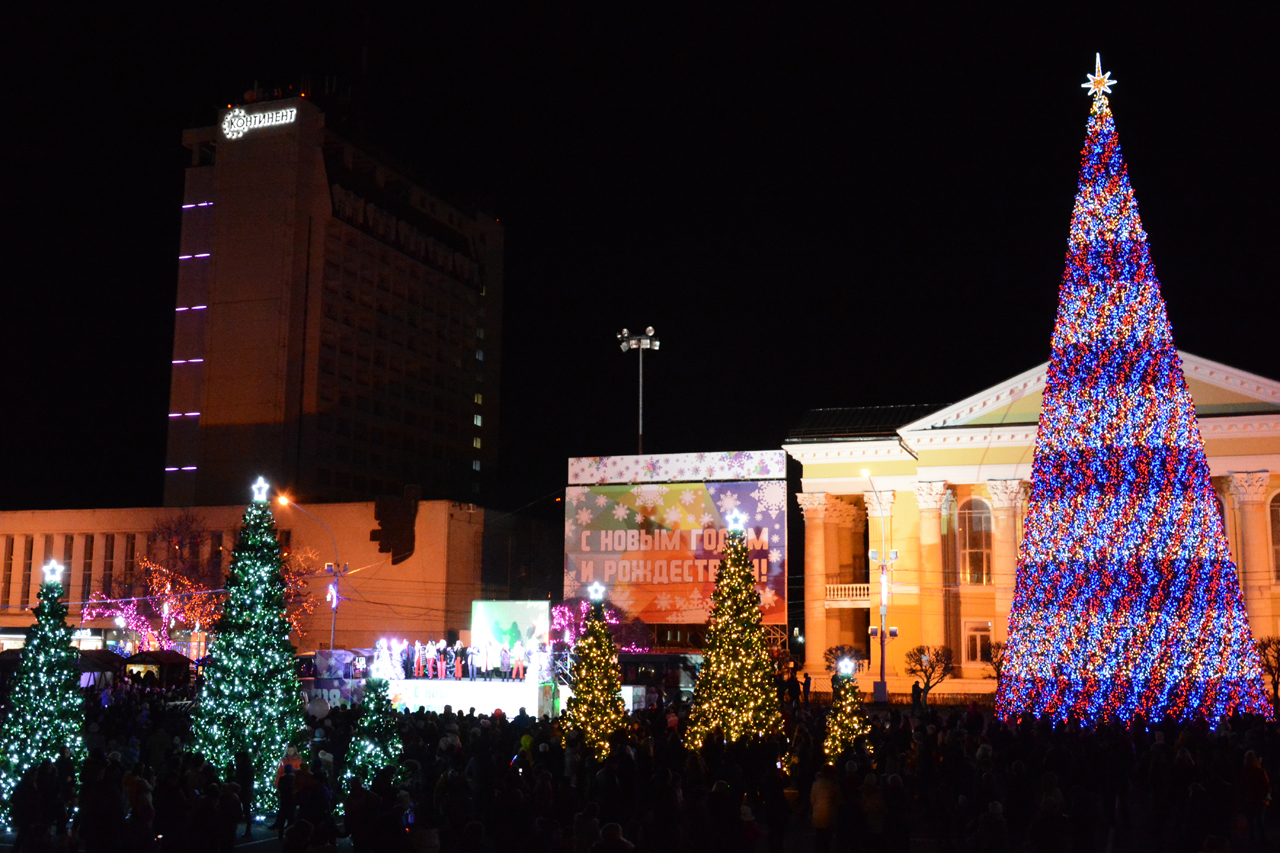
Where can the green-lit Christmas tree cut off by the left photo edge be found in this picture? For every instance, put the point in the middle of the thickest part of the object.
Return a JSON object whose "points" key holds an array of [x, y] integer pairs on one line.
{"points": [[45, 709]]}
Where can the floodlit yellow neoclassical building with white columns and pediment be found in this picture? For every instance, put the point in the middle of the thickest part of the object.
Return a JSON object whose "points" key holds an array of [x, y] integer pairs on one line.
{"points": [[947, 490]]}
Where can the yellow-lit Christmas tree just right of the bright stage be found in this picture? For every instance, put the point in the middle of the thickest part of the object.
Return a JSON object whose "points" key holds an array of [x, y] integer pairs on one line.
{"points": [[596, 709]]}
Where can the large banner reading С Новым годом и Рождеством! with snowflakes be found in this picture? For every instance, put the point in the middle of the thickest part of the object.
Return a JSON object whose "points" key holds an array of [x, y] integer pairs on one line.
{"points": [[657, 548]]}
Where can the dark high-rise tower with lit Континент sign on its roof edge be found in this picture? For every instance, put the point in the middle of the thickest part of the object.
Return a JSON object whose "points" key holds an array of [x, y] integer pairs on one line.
{"points": [[337, 329]]}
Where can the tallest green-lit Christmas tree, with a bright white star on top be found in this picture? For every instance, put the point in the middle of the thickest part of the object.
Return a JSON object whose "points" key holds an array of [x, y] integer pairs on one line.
{"points": [[250, 699]]}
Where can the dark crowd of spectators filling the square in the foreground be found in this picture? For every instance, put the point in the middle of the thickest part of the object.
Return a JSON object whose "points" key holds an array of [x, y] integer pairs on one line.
{"points": [[932, 779]]}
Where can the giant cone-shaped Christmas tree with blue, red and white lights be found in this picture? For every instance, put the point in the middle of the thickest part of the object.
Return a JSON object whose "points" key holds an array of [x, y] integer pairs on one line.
{"points": [[1127, 600]]}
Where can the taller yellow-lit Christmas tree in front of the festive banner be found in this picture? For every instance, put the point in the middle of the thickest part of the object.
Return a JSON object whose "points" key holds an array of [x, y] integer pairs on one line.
{"points": [[735, 687]]}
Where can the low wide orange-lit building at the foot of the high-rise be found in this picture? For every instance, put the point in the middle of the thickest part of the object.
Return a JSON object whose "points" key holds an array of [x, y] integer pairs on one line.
{"points": [[422, 585]]}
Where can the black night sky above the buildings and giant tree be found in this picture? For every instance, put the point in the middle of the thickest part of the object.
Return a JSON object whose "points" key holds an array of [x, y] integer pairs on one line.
{"points": [[830, 211]]}
